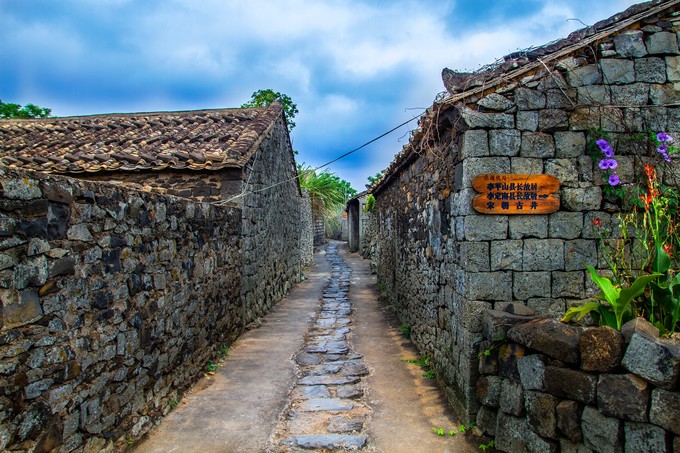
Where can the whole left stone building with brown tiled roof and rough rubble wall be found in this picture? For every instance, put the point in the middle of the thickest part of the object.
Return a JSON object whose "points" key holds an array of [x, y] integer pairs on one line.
{"points": [[133, 247]]}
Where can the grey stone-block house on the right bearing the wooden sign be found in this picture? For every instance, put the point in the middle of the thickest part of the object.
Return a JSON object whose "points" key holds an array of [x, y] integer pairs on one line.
{"points": [[443, 264]]}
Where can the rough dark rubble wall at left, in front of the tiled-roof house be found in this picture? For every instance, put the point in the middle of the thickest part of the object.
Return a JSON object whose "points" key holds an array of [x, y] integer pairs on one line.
{"points": [[112, 302]]}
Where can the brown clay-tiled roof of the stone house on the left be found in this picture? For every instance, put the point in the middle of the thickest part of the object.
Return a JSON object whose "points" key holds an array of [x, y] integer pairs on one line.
{"points": [[194, 140]]}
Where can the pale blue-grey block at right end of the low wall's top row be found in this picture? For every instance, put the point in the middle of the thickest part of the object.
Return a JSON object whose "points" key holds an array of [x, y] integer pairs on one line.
{"points": [[655, 360]]}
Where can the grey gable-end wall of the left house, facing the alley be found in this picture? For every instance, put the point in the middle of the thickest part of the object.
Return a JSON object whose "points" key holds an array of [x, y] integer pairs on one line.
{"points": [[271, 224]]}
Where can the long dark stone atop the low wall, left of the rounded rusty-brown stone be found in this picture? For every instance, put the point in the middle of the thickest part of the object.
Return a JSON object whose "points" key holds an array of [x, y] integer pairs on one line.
{"points": [[549, 336]]}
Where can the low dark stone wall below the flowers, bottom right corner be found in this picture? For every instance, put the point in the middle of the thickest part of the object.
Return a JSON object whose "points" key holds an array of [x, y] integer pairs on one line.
{"points": [[547, 386]]}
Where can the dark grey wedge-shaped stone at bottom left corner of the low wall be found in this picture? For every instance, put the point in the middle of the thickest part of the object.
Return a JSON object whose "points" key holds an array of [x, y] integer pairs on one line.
{"points": [[513, 434]]}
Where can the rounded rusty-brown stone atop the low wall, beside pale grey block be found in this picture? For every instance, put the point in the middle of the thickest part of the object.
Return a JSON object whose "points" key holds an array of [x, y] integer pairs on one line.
{"points": [[601, 349]]}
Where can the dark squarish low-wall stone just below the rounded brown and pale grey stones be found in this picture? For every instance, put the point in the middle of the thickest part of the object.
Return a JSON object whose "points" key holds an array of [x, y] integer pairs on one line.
{"points": [[623, 396]]}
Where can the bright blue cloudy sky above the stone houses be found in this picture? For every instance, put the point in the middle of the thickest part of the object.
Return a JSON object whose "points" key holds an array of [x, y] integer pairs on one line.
{"points": [[355, 68]]}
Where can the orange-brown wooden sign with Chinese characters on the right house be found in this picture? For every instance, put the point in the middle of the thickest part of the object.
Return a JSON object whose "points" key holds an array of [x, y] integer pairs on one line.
{"points": [[516, 194]]}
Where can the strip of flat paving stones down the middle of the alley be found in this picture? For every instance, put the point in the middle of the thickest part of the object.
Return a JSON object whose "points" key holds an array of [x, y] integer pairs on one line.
{"points": [[327, 408]]}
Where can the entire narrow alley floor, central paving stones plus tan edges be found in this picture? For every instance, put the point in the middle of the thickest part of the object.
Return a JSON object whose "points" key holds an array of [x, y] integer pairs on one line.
{"points": [[326, 370]]}
